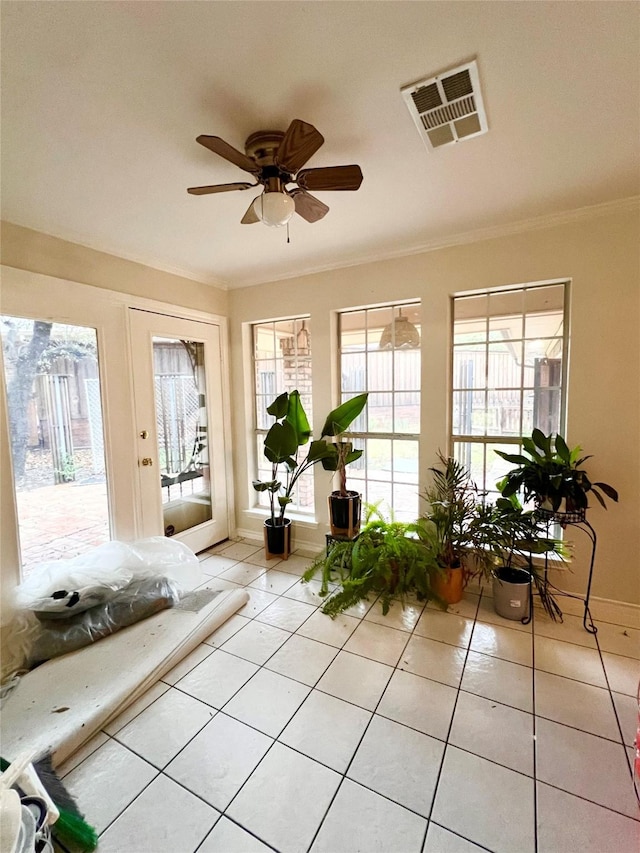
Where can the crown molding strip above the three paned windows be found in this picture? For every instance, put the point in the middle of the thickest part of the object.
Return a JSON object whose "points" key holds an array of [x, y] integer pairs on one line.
{"points": [[476, 236]]}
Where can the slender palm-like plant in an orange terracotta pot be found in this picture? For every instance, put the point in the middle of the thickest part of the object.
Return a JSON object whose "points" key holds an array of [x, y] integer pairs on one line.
{"points": [[452, 499]]}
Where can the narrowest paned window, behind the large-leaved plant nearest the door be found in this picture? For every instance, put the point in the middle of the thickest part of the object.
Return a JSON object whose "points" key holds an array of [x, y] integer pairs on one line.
{"points": [[282, 362]]}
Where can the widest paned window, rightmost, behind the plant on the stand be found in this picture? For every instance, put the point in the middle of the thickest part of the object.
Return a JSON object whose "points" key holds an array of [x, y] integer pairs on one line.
{"points": [[509, 373]]}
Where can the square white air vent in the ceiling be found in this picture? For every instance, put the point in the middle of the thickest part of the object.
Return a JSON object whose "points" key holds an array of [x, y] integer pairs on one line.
{"points": [[447, 108]]}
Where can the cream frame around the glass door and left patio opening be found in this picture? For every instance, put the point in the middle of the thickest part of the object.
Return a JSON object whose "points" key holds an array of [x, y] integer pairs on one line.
{"points": [[38, 296]]}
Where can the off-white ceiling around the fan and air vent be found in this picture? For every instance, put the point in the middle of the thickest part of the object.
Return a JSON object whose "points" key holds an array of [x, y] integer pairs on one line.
{"points": [[102, 101]]}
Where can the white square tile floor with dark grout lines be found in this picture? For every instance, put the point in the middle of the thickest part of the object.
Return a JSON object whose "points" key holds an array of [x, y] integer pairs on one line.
{"points": [[416, 732]]}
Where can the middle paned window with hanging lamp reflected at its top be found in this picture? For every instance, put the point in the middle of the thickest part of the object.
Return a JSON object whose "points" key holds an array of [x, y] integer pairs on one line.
{"points": [[380, 353]]}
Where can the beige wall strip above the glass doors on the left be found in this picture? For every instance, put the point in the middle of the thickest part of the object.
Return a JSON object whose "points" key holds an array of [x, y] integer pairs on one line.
{"points": [[30, 250]]}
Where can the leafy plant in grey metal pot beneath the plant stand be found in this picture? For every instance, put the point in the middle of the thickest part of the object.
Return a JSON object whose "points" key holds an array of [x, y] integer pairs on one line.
{"points": [[507, 540]]}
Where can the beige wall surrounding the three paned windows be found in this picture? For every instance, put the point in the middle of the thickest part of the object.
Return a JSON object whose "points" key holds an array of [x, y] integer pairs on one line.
{"points": [[599, 255]]}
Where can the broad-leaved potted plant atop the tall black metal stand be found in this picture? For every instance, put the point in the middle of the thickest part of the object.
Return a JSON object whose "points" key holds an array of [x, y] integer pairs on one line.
{"points": [[551, 475]]}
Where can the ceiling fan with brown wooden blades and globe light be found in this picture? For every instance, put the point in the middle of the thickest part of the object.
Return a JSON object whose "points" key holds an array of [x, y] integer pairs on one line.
{"points": [[275, 159]]}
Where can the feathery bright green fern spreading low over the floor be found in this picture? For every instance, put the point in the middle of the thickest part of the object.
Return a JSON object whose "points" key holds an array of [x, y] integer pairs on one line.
{"points": [[389, 558]]}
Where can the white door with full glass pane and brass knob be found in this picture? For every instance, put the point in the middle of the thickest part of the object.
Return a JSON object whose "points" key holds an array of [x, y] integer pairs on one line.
{"points": [[177, 382]]}
